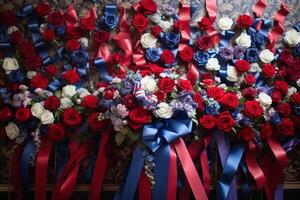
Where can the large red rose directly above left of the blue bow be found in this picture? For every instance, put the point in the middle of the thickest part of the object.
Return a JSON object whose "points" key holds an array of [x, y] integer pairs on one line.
{"points": [[138, 116]]}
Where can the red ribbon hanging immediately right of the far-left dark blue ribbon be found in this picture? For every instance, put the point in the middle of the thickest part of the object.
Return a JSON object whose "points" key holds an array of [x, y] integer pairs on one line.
{"points": [[40, 184]]}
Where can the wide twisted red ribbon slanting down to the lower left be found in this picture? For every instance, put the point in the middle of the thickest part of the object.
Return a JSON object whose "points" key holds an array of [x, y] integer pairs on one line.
{"points": [[66, 182]]}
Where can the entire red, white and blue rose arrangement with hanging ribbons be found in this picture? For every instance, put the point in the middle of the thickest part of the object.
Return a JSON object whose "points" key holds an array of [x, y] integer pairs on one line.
{"points": [[163, 83]]}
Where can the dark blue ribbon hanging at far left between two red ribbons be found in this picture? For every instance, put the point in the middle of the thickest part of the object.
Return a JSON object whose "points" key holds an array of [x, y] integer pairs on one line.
{"points": [[25, 161]]}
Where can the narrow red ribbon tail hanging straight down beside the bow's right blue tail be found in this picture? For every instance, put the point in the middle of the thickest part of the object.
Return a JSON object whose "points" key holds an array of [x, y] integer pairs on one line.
{"points": [[172, 180]]}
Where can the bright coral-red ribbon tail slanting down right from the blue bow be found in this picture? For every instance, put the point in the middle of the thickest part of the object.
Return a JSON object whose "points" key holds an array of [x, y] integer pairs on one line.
{"points": [[190, 170]]}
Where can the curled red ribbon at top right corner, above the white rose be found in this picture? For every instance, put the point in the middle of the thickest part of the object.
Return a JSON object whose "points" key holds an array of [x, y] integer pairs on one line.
{"points": [[278, 29]]}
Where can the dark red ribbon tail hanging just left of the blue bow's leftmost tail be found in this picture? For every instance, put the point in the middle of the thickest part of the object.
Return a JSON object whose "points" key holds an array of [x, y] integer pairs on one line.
{"points": [[100, 168]]}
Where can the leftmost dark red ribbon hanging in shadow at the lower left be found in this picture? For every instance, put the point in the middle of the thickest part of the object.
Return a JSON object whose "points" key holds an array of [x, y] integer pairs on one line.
{"points": [[16, 172]]}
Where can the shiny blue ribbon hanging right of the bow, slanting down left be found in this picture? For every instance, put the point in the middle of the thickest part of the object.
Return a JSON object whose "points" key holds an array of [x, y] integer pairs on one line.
{"points": [[229, 170]]}
